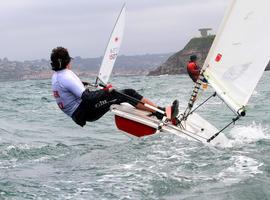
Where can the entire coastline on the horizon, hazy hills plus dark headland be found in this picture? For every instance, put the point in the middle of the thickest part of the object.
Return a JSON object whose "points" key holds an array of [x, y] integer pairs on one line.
{"points": [[148, 64]]}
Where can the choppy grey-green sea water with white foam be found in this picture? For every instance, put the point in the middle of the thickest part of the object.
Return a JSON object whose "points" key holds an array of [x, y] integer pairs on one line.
{"points": [[44, 155]]}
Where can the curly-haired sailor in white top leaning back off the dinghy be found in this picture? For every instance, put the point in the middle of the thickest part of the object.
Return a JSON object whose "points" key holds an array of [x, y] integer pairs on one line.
{"points": [[83, 104]]}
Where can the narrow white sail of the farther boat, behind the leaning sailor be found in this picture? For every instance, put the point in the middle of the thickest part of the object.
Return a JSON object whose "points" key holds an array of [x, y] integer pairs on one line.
{"points": [[113, 48]]}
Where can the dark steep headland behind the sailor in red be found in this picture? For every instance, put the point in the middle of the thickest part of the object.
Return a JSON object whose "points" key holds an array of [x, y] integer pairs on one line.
{"points": [[176, 64]]}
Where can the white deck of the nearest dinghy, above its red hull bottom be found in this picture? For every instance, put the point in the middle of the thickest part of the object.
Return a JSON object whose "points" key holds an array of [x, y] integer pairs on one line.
{"points": [[195, 128]]}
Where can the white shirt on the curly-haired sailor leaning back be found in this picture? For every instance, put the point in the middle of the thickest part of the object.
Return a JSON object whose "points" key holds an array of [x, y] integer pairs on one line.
{"points": [[67, 90]]}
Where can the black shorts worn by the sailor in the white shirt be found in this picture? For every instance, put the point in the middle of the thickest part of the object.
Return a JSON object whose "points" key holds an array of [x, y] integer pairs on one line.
{"points": [[96, 103]]}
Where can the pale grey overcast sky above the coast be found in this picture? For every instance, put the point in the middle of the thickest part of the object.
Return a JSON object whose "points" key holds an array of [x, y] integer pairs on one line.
{"points": [[31, 28]]}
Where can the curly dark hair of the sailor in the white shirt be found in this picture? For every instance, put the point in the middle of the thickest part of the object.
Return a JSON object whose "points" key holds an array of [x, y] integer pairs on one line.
{"points": [[59, 58]]}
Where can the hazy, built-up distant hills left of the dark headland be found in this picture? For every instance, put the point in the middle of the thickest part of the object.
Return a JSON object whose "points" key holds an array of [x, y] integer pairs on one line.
{"points": [[40, 69]]}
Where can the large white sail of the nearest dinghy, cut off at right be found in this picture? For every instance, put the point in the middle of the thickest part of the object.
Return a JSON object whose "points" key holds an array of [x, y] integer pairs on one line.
{"points": [[240, 52]]}
